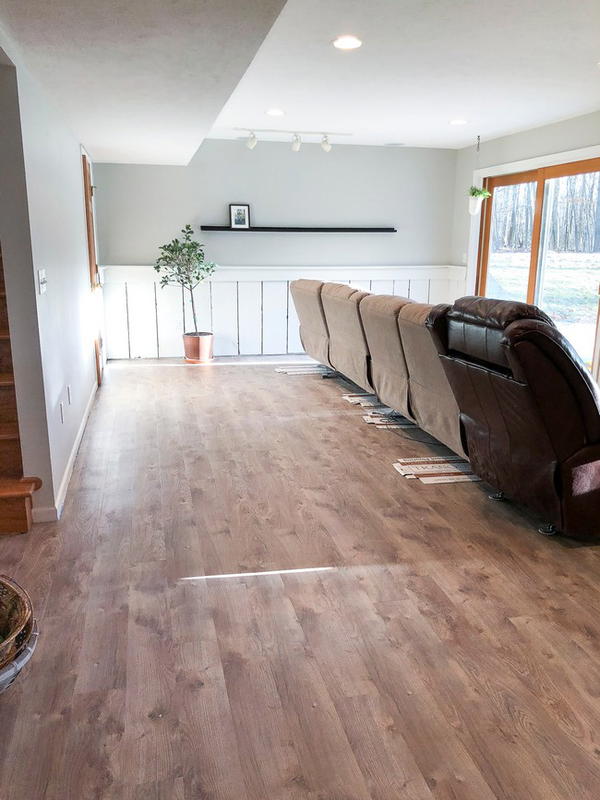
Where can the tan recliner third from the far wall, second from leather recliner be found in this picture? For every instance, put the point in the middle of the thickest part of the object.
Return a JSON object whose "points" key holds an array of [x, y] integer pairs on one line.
{"points": [[389, 373]]}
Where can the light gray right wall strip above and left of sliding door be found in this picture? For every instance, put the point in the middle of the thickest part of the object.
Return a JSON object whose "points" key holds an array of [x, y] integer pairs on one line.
{"points": [[570, 134]]}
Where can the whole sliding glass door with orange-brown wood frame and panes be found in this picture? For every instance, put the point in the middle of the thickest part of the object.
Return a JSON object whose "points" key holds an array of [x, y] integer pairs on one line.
{"points": [[540, 244]]}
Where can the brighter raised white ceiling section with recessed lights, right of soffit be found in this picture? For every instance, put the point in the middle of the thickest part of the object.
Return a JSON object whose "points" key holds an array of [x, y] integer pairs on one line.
{"points": [[503, 65]]}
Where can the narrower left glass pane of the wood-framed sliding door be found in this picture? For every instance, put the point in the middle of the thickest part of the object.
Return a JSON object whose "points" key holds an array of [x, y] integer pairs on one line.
{"points": [[509, 255]]}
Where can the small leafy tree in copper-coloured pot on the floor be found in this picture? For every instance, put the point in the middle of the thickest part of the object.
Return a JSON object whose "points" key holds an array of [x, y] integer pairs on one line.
{"points": [[181, 263]]}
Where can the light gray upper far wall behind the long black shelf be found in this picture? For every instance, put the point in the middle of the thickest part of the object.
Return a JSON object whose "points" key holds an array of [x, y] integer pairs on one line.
{"points": [[140, 207]]}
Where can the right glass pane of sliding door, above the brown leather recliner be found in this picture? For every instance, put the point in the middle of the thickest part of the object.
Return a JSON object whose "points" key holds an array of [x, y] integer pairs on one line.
{"points": [[569, 263]]}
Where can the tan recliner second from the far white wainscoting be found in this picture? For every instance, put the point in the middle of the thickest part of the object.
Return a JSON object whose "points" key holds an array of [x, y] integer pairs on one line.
{"points": [[348, 349]]}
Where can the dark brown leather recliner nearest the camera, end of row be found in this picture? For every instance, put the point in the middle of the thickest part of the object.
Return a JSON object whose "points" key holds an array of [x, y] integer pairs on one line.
{"points": [[530, 411]]}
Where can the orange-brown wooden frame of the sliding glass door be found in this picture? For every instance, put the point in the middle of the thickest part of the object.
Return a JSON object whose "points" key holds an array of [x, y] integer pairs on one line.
{"points": [[540, 176]]}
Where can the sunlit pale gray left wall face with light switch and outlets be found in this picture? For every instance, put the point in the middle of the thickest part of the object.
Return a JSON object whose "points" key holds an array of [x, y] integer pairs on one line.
{"points": [[59, 245]]}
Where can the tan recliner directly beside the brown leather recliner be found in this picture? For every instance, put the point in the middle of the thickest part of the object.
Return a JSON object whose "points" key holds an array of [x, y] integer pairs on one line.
{"points": [[430, 397]]}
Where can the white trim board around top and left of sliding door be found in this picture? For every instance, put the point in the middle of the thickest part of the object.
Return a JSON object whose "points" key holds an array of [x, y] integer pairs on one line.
{"points": [[537, 162]]}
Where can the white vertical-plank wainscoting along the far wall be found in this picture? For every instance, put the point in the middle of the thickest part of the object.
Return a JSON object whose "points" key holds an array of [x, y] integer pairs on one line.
{"points": [[249, 309]]}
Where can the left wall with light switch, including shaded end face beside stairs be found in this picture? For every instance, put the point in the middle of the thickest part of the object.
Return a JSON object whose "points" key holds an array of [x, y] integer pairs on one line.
{"points": [[62, 320]]}
